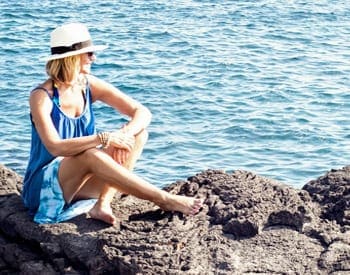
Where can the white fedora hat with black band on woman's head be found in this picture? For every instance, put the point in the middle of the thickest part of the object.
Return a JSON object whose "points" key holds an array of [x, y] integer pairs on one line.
{"points": [[71, 39]]}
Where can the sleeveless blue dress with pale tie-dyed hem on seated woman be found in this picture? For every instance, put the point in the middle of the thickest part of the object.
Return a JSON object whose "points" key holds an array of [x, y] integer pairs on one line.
{"points": [[42, 193]]}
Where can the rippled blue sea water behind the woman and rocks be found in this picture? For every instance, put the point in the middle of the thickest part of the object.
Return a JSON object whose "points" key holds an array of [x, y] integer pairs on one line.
{"points": [[255, 85]]}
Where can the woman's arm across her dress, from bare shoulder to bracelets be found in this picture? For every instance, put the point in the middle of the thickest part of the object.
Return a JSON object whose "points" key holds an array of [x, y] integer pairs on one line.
{"points": [[40, 108]]}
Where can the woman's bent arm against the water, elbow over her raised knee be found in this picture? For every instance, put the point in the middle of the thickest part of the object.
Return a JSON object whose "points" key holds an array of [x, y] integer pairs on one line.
{"points": [[140, 116]]}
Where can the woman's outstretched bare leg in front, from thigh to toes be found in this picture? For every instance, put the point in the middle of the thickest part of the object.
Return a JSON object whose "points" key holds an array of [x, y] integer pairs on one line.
{"points": [[75, 171]]}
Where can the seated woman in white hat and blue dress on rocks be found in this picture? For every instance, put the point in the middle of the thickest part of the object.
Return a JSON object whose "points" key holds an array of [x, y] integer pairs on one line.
{"points": [[72, 169]]}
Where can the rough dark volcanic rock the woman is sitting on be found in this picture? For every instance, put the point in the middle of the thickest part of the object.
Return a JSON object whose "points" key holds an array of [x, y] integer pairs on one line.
{"points": [[249, 224]]}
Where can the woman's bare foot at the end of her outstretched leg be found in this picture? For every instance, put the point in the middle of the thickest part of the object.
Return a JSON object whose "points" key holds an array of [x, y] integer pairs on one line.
{"points": [[183, 204]]}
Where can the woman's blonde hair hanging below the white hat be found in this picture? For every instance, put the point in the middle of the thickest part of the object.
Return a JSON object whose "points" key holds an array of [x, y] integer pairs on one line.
{"points": [[64, 70]]}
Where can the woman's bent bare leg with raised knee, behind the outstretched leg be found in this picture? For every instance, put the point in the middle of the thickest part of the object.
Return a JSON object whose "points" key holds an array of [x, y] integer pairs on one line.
{"points": [[102, 209]]}
